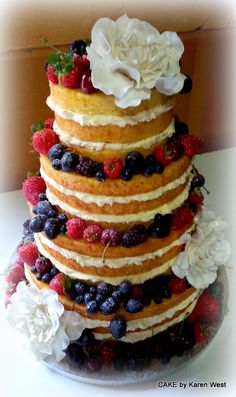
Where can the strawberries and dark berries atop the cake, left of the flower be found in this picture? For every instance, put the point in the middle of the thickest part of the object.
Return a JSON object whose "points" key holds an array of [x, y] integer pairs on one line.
{"points": [[71, 69]]}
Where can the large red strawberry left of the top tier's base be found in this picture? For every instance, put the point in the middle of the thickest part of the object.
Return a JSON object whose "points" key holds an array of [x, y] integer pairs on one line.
{"points": [[43, 140]]}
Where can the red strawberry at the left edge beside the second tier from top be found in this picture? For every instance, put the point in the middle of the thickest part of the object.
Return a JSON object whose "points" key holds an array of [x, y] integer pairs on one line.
{"points": [[32, 187]]}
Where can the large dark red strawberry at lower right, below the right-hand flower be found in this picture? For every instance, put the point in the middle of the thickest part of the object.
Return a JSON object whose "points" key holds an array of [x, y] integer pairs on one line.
{"points": [[207, 309]]}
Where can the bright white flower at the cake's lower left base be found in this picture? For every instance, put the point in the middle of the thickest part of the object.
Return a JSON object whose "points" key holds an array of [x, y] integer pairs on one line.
{"points": [[39, 316]]}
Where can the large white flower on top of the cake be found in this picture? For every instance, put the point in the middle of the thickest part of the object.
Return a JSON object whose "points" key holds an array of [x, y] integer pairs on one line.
{"points": [[129, 57]]}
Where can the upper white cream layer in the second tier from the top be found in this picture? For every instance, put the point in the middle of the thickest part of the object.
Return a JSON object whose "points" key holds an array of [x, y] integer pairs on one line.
{"points": [[102, 200]]}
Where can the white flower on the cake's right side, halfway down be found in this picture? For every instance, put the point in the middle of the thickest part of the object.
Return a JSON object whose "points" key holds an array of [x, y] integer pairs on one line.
{"points": [[205, 250]]}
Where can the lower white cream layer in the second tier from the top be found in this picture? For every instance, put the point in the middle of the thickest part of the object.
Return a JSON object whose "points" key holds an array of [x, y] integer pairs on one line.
{"points": [[143, 216]]}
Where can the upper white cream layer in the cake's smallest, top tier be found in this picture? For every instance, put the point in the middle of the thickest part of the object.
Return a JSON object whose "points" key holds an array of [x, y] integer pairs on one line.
{"points": [[102, 119]]}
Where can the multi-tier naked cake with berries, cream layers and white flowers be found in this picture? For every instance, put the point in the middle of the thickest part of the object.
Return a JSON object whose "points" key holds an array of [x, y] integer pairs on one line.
{"points": [[119, 256]]}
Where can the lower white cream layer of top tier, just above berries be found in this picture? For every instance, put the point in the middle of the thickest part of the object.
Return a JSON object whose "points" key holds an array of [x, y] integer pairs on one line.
{"points": [[144, 144]]}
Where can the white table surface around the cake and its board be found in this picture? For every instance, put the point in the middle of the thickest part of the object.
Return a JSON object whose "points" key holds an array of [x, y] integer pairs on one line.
{"points": [[20, 375]]}
